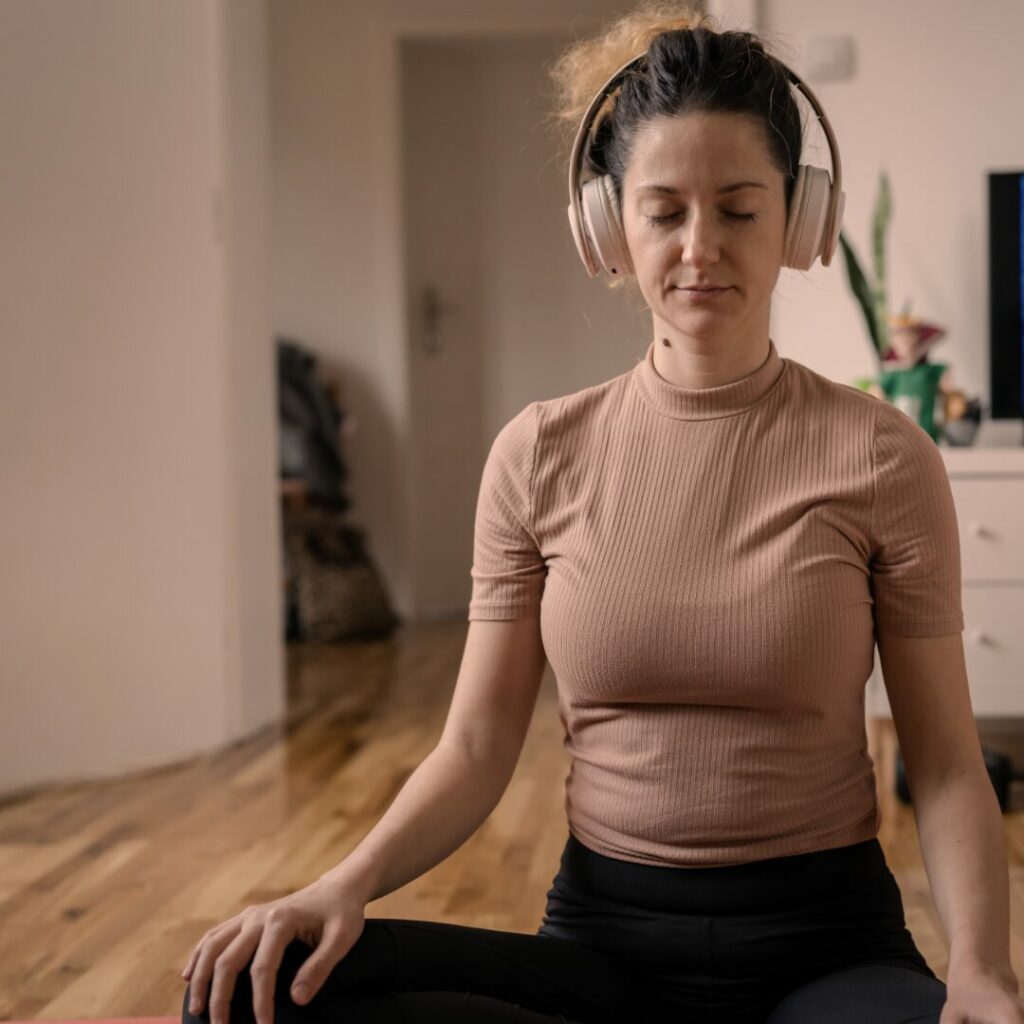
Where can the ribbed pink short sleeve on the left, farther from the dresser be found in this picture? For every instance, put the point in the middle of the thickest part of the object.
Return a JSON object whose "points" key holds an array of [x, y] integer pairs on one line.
{"points": [[508, 571]]}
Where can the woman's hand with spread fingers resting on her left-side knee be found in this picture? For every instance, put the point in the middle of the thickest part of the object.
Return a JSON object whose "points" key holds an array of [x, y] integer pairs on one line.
{"points": [[327, 915]]}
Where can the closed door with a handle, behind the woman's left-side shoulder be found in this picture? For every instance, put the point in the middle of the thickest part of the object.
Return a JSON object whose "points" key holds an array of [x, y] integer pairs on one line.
{"points": [[500, 311]]}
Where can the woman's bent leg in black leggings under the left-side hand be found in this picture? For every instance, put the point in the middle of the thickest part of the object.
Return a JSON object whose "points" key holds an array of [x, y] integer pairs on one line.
{"points": [[421, 972]]}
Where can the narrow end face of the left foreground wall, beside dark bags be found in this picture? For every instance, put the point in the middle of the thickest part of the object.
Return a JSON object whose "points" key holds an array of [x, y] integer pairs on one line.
{"points": [[255, 689]]}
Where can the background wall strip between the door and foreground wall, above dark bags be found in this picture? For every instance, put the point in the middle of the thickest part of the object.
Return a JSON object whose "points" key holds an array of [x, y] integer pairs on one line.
{"points": [[337, 286]]}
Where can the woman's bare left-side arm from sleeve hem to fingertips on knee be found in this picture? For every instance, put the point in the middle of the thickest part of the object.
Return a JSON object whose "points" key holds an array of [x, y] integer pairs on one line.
{"points": [[443, 803]]}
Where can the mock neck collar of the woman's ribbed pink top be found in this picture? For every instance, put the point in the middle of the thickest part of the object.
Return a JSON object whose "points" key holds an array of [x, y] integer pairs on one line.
{"points": [[707, 403]]}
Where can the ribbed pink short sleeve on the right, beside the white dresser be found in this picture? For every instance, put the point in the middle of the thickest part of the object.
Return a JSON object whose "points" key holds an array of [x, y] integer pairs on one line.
{"points": [[916, 554]]}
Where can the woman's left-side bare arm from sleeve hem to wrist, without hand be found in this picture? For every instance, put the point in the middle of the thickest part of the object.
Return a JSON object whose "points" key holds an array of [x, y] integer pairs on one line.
{"points": [[461, 782]]}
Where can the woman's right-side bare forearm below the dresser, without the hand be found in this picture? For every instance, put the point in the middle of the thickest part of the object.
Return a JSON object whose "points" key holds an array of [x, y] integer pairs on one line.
{"points": [[964, 848]]}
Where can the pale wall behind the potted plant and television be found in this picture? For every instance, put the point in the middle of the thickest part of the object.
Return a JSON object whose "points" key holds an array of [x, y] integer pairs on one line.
{"points": [[935, 101]]}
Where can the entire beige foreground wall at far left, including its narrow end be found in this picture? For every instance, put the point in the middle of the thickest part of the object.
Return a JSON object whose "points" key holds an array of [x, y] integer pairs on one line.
{"points": [[140, 601]]}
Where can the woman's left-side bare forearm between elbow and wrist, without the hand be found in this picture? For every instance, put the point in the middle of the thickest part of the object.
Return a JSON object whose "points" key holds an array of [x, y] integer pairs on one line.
{"points": [[443, 803]]}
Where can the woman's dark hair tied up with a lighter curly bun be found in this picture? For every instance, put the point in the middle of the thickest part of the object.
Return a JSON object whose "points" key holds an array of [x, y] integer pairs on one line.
{"points": [[689, 68]]}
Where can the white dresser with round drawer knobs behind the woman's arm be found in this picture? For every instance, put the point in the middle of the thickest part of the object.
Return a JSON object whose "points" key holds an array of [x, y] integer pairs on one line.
{"points": [[989, 491]]}
